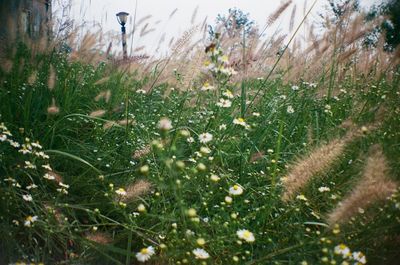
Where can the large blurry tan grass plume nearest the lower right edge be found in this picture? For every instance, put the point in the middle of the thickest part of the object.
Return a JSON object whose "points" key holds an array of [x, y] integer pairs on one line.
{"points": [[374, 186]]}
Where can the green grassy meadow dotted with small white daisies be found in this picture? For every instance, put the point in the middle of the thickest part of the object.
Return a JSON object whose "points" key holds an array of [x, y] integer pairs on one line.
{"points": [[102, 165]]}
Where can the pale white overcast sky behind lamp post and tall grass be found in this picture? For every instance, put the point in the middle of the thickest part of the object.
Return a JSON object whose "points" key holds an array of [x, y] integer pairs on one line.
{"points": [[103, 13]]}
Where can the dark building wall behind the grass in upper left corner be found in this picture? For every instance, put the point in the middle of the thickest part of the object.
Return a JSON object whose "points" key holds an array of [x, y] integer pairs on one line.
{"points": [[24, 19]]}
